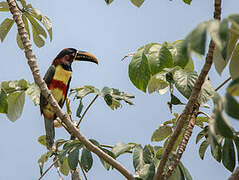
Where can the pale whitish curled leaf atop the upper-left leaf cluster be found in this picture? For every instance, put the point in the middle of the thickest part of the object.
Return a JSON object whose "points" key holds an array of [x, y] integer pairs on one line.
{"points": [[46, 22]]}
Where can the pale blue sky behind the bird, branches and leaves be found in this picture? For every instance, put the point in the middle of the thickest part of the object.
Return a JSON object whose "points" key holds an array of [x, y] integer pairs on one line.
{"points": [[109, 32]]}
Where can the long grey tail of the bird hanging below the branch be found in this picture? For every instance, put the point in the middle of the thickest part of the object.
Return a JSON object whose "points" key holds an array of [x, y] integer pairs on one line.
{"points": [[50, 132]]}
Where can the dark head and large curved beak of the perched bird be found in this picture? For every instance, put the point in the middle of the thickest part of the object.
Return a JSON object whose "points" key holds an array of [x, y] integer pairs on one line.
{"points": [[68, 55]]}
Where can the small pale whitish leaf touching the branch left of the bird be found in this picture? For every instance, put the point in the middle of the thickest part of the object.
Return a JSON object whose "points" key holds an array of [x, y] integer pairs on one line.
{"points": [[33, 92]]}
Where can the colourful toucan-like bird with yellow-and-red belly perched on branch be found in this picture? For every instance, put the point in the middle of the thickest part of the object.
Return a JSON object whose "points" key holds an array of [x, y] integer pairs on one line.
{"points": [[58, 78]]}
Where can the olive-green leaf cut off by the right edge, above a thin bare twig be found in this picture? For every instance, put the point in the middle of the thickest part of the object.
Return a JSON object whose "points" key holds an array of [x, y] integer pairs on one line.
{"points": [[234, 64]]}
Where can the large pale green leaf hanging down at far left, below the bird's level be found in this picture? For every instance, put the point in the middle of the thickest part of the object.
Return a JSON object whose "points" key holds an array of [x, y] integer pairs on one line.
{"points": [[16, 102]]}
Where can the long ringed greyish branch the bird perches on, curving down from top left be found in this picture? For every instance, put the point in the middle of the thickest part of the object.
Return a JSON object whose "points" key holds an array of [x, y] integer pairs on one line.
{"points": [[45, 91]]}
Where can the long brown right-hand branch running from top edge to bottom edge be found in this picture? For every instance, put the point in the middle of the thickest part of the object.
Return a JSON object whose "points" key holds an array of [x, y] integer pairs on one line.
{"points": [[192, 100]]}
